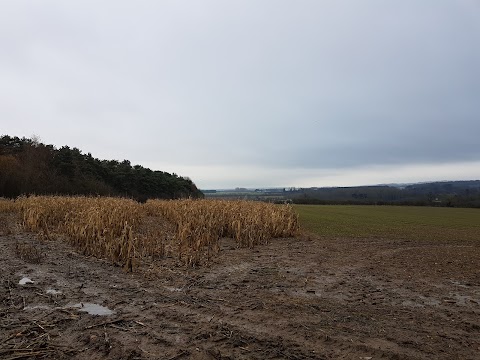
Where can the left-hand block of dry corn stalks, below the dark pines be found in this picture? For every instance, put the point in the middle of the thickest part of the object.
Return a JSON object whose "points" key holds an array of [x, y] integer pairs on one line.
{"points": [[98, 226]]}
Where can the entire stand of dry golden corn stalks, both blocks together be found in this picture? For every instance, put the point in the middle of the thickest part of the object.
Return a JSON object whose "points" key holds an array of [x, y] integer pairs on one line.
{"points": [[127, 233]]}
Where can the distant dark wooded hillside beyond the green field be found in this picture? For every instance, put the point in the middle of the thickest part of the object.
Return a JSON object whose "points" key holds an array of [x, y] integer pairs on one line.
{"points": [[445, 193]]}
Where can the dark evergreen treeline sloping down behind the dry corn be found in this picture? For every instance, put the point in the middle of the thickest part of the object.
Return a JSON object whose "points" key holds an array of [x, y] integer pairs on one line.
{"points": [[29, 167]]}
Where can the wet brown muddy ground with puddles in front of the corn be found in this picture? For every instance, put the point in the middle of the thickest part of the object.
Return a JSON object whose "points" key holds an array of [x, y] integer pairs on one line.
{"points": [[304, 298]]}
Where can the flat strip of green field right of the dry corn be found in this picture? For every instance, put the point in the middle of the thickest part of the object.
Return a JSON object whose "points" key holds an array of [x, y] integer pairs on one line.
{"points": [[405, 222]]}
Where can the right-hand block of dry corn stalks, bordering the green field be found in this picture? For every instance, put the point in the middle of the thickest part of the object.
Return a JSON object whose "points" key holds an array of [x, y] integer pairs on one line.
{"points": [[200, 224]]}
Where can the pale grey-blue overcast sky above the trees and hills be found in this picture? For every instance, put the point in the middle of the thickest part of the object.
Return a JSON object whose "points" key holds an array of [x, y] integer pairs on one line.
{"points": [[251, 93]]}
